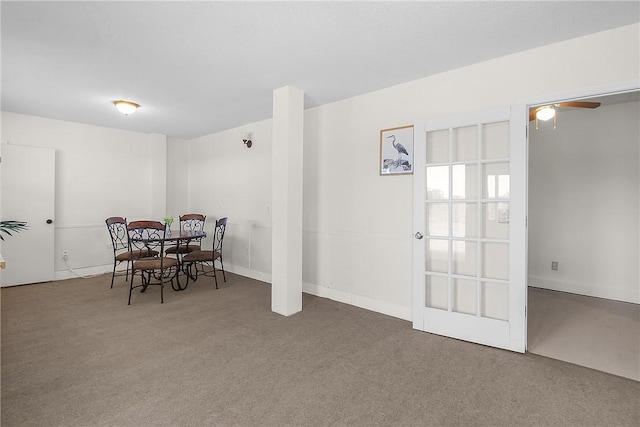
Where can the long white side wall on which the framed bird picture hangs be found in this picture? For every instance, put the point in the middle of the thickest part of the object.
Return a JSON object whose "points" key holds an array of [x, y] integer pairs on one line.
{"points": [[357, 224]]}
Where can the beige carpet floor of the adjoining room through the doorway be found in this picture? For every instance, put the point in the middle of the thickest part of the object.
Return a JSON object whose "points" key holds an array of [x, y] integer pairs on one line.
{"points": [[592, 332]]}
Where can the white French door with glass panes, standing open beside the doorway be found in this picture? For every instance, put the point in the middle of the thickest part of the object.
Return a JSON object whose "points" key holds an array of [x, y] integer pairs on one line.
{"points": [[470, 224]]}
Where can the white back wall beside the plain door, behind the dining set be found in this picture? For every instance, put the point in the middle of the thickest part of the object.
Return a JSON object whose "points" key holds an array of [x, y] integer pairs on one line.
{"points": [[100, 172]]}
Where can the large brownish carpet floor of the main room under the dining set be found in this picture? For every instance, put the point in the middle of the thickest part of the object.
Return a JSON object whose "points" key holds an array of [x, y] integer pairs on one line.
{"points": [[74, 354]]}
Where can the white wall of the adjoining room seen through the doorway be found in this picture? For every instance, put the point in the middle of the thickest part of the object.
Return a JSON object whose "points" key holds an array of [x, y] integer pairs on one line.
{"points": [[584, 193]]}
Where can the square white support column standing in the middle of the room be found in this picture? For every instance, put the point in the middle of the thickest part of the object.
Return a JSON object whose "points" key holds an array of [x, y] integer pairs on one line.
{"points": [[286, 264]]}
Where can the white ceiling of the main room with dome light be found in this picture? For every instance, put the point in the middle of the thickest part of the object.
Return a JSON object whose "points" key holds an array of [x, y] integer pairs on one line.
{"points": [[201, 67]]}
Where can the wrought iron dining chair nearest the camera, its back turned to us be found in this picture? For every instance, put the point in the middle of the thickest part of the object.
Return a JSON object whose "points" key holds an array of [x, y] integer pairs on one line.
{"points": [[149, 236]]}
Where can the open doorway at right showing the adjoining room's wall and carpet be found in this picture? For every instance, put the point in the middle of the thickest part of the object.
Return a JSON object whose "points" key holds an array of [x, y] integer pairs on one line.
{"points": [[584, 236]]}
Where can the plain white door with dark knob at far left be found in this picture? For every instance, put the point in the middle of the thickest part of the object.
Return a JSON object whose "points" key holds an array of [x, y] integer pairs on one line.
{"points": [[28, 194]]}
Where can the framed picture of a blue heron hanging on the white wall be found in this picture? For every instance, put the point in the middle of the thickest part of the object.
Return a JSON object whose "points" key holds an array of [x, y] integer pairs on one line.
{"points": [[396, 151]]}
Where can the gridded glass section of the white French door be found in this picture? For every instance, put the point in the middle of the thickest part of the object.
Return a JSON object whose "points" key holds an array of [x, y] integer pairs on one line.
{"points": [[467, 220]]}
